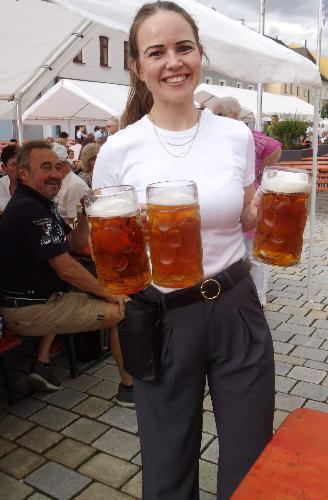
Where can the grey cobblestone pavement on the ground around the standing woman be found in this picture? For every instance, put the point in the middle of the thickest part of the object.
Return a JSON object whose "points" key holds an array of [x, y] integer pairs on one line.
{"points": [[76, 443]]}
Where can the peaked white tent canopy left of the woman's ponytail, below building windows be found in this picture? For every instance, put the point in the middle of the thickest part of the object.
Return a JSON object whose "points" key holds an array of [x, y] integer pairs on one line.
{"points": [[78, 102]]}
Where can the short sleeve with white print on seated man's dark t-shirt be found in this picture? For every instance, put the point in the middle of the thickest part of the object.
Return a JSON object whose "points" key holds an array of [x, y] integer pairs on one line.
{"points": [[46, 235]]}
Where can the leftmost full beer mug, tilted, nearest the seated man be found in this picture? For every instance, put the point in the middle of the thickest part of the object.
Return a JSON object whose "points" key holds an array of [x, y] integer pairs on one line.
{"points": [[117, 239]]}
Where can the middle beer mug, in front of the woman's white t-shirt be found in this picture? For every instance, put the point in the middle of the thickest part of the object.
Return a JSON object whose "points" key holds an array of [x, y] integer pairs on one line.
{"points": [[174, 234]]}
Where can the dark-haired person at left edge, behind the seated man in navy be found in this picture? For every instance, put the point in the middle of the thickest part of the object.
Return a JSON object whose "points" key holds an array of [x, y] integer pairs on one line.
{"points": [[8, 181]]}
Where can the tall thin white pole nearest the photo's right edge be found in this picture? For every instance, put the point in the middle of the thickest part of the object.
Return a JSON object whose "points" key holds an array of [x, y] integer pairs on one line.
{"points": [[314, 159]]}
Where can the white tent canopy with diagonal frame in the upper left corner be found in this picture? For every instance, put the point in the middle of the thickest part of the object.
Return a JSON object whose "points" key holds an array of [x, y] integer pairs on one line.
{"points": [[36, 42]]}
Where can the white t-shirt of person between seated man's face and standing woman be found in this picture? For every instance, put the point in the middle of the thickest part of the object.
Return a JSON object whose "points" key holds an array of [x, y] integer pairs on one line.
{"points": [[73, 188]]}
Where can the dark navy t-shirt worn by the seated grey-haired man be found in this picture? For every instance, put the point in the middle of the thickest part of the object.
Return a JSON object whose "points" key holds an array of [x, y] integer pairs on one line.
{"points": [[31, 232]]}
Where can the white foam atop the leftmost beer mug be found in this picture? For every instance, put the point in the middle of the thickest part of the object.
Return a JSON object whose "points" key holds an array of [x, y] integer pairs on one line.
{"points": [[114, 206]]}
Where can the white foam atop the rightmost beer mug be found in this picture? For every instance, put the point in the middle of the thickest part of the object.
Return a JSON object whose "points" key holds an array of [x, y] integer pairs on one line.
{"points": [[281, 181]]}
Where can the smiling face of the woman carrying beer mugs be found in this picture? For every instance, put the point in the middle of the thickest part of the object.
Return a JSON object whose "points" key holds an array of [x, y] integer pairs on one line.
{"points": [[169, 58]]}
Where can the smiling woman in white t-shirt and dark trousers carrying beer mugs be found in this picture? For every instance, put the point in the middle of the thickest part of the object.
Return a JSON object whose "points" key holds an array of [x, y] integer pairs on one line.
{"points": [[226, 339]]}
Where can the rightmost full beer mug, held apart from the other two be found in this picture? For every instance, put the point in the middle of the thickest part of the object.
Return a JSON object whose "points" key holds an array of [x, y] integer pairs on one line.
{"points": [[281, 216]]}
